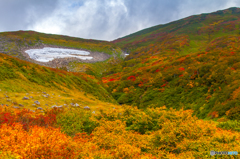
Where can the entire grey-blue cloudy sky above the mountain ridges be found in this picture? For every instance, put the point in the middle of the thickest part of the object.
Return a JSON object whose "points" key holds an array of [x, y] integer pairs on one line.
{"points": [[99, 19]]}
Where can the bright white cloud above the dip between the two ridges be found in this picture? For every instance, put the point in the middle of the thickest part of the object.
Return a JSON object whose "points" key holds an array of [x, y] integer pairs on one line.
{"points": [[93, 19]]}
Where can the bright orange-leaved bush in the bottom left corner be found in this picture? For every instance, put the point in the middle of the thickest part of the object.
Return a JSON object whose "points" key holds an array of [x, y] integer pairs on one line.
{"points": [[38, 142]]}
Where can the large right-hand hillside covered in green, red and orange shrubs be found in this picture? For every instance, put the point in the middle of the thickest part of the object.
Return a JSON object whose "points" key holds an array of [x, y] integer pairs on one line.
{"points": [[191, 63]]}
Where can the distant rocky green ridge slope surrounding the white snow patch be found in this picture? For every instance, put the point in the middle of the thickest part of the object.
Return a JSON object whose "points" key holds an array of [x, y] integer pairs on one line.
{"points": [[15, 44]]}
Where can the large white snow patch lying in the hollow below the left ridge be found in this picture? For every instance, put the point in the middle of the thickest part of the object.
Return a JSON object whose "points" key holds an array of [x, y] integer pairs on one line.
{"points": [[48, 54]]}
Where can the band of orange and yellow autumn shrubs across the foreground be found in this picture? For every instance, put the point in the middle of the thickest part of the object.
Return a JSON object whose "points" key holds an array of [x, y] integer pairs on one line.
{"points": [[129, 133]]}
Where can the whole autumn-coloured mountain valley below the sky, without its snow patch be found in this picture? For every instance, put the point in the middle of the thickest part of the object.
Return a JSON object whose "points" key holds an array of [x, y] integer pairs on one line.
{"points": [[169, 91]]}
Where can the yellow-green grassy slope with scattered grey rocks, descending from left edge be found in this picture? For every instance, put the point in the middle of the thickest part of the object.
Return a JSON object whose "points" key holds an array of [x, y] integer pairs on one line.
{"points": [[20, 78]]}
